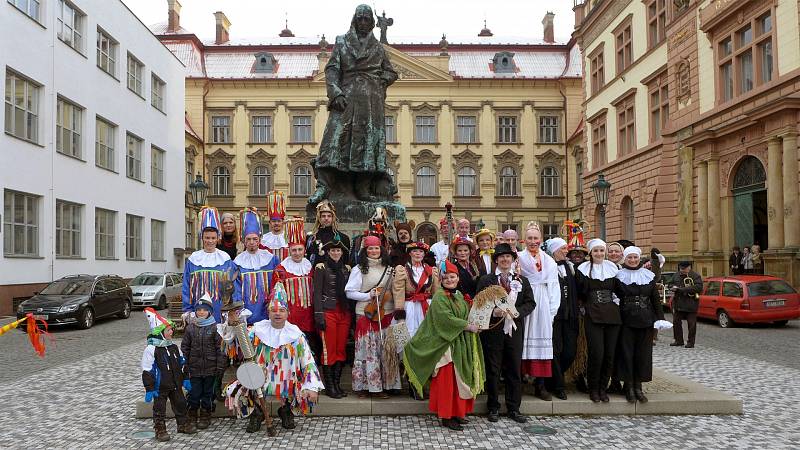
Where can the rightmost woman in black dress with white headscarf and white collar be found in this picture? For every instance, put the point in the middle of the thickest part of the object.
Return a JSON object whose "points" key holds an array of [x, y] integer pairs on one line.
{"points": [[640, 306]]}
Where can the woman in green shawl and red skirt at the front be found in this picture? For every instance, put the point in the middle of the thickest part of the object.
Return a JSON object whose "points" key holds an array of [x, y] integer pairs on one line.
{"points": [[446, 351]]}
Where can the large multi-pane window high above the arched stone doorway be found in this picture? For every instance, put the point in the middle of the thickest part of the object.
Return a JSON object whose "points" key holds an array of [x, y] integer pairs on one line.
{"points": [[745, 57]]}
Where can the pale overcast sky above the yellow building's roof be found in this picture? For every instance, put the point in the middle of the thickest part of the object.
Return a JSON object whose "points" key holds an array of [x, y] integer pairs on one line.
{"points": [[413, 18]]}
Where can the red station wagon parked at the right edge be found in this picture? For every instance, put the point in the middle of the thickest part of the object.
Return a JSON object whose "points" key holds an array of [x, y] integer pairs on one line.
{"points": [[748, 299]]}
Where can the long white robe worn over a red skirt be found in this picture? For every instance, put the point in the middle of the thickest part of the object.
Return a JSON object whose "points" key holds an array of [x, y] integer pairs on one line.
{"points": [[538, 342]]}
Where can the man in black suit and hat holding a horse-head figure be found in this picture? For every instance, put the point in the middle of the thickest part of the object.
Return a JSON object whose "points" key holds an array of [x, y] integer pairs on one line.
{"points": [[503, 341]]}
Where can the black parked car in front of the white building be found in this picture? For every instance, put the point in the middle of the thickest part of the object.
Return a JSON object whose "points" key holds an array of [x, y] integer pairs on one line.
{"points": [[79, 299]]}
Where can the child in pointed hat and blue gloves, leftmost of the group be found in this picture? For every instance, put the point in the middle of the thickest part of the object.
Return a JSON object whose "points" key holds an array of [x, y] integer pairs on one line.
{"points": [[164, 376]]}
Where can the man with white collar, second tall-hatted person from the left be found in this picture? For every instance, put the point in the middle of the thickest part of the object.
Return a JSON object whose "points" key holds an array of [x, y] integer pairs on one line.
{"points": [[255, 267]]}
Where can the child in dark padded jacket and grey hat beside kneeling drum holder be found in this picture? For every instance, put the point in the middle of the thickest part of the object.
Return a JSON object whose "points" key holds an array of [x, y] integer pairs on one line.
{"points": [[202, 346]]}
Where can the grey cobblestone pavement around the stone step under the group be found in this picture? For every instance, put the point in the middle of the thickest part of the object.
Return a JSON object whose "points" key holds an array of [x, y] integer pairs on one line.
{"points": [[90, 403]]}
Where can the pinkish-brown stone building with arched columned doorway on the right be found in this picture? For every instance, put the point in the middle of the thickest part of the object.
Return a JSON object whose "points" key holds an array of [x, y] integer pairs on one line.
{"points": [[714, 161]]}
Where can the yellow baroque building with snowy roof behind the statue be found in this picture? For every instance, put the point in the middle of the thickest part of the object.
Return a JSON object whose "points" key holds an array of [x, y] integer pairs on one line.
{"points": [[482, 123]]}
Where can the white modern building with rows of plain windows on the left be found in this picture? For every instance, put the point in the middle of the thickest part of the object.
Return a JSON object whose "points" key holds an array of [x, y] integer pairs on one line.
{"points": [[92, 157]]}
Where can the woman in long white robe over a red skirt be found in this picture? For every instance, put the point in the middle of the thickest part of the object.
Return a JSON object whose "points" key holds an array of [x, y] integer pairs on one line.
{"points": [[542, 273]]}
